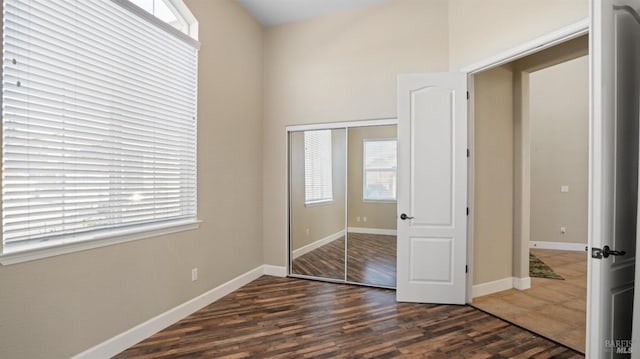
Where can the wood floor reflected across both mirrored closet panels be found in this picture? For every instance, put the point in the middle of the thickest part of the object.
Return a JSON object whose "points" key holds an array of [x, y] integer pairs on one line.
{"points": [[371, 259]]}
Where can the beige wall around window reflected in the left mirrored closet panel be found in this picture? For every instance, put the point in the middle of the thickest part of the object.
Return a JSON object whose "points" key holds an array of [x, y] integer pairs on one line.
{"points": [[325, 219]]}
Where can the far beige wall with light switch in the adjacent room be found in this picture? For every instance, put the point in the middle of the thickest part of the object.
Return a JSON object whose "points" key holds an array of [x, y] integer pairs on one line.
{"points": [[559, 124]]}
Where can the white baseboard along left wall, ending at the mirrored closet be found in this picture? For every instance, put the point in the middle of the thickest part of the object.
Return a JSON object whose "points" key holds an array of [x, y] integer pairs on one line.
{"points": [[124, 340]]}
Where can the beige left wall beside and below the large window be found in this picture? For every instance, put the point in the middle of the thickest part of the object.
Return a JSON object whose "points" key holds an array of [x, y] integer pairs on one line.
{"points": [[60, 306]]}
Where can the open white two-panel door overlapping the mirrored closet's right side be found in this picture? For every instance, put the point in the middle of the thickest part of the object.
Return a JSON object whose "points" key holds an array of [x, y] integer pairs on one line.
{"points": [[432, 191]]}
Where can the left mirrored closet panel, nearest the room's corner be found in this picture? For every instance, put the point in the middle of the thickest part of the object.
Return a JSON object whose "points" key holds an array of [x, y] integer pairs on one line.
{"points": [[317, 169]]}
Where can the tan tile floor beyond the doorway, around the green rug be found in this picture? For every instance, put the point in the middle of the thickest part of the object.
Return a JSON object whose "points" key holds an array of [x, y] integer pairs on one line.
{"points": [[553, 308]]}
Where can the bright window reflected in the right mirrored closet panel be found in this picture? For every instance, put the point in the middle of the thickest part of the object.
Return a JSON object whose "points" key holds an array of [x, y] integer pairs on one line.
{"points": [[380, 167]]}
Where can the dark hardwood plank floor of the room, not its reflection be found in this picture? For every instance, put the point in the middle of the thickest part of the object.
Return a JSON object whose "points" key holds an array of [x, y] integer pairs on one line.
{"points": [[293, 318]]}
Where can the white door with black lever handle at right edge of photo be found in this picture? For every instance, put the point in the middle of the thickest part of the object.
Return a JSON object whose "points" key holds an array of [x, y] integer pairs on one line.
{"points": [[615, 51]]}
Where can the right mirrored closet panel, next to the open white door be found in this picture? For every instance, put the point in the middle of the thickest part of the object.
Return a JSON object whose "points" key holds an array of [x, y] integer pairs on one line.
{"points": [[371, 205]]}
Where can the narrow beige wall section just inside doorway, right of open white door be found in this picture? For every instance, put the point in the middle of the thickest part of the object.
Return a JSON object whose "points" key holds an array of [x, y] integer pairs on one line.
{"points": [[493, 196]]}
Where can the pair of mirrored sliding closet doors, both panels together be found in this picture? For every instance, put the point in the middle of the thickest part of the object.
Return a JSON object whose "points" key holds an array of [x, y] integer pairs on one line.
{"points": [[342, 204]]}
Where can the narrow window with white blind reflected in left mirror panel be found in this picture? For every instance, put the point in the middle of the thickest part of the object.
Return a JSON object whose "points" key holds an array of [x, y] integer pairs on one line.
{"points": [[318, 185]]}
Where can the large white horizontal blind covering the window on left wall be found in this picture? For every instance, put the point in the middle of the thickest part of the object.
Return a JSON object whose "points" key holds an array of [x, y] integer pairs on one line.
{"points": [[98, 123]]}
